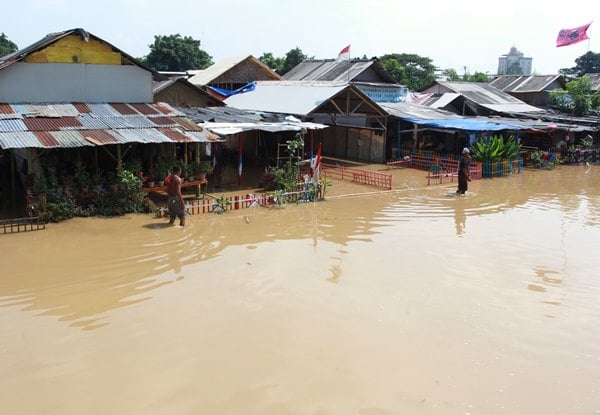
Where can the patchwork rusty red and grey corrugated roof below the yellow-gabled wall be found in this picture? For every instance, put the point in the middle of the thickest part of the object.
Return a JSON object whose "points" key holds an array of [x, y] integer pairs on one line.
{"points": [[80, 124]]}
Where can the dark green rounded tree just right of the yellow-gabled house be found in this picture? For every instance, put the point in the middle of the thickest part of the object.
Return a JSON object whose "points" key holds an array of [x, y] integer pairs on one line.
{"points": [[176, 53]]}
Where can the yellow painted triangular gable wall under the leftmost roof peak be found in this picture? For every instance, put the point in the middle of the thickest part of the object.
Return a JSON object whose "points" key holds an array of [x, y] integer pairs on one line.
{"points": [[72, 49]]}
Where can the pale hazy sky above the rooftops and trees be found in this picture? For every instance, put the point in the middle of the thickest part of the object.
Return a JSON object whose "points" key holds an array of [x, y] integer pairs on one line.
{"points": [[462, 35]]}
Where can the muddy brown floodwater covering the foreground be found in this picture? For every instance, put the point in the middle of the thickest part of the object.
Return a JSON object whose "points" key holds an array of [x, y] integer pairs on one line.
{"points": [[413, 301]]}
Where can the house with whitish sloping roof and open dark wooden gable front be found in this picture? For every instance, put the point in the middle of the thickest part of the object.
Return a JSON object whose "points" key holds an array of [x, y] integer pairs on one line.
{"points": [[356, 123]]}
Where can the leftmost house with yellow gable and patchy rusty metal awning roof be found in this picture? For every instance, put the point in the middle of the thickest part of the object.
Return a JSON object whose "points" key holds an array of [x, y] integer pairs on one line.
{"points": [[73, 99]]}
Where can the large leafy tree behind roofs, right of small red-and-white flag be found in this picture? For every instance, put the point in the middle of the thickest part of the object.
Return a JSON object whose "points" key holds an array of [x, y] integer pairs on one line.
{"points": [[416, 71]]}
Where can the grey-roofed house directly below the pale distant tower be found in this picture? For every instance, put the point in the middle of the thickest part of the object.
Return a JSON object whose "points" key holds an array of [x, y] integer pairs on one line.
{"points": [[531, 89]]}
